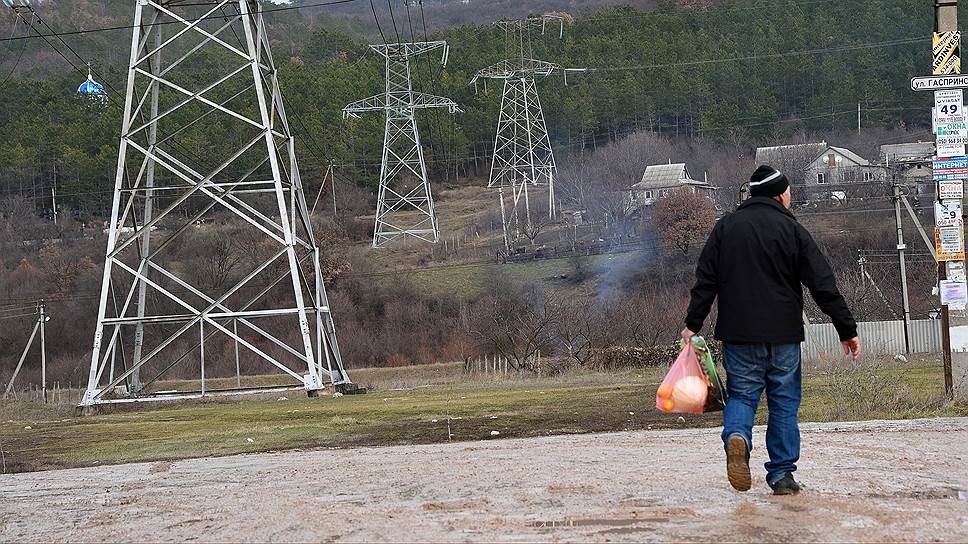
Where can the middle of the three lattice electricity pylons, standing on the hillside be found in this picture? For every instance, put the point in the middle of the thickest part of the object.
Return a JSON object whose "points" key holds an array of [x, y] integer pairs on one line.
{"points": [[405, 206]]}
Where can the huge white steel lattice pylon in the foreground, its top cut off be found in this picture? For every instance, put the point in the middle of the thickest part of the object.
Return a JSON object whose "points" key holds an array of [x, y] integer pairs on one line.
{"points": [[254, 284]]}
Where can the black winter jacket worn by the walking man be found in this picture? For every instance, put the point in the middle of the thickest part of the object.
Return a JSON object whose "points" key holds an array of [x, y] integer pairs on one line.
{"points": [[755, 260]]}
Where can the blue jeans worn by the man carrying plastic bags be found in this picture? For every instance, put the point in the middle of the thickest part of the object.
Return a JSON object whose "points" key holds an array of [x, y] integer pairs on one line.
{"points": [[750, 368]]}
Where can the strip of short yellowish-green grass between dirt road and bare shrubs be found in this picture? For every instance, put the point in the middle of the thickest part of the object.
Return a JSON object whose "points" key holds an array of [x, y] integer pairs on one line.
{"points": [[427, 404]]}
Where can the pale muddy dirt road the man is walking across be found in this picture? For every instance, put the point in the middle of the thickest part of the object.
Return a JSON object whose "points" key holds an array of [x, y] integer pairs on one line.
{"points": [[870, 481]]}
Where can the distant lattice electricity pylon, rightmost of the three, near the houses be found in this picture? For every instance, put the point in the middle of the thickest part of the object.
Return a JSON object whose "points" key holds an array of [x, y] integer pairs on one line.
{"points": [[522, 149]]}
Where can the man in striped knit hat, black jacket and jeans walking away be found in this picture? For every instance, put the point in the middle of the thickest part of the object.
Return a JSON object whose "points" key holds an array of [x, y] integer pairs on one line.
{"points": [[755, 261]]}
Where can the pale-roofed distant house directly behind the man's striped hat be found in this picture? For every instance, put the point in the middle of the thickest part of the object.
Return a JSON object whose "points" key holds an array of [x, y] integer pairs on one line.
{"points": [[813, 165]]}
